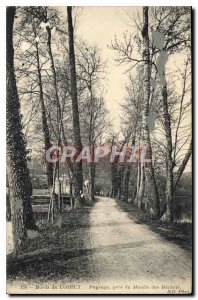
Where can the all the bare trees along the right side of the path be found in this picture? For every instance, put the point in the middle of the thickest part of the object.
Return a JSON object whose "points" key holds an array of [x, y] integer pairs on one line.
{"points": [[157, 107]]}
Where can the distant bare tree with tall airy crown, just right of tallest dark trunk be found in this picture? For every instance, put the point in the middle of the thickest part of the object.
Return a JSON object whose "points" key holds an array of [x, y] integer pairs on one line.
{"points": [[93, 114]]}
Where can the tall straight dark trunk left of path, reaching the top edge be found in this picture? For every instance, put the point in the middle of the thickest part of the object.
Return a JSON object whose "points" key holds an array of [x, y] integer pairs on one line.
{"points": [[78, 173]]}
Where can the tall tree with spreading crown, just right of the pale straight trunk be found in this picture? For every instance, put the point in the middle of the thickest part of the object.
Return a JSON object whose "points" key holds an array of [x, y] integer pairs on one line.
{"points": [[171, 36]]}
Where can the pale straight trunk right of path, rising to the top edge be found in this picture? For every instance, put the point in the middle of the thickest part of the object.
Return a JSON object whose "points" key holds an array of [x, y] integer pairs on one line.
{"points": [[149, 172]]}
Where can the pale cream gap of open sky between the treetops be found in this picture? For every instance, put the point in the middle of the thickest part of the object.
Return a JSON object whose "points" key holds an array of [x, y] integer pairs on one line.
{"points": [[99, 25]]}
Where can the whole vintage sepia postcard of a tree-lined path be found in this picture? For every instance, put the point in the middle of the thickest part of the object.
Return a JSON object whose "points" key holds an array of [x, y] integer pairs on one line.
{"points": [[99, 150]]}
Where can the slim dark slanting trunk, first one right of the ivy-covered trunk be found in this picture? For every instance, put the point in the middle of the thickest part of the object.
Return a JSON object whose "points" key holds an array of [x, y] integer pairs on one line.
{"points": [[45, 127]]}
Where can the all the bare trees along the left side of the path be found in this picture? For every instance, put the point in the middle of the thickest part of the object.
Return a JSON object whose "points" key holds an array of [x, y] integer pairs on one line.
{"points": [[59, 90]]}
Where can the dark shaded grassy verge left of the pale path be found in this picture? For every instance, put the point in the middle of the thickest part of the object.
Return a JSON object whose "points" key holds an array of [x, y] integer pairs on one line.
{"points": [[57, 252]]}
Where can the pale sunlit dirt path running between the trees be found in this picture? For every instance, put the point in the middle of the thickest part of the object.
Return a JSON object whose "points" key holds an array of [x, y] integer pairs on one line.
{"points": [[126, 251]]}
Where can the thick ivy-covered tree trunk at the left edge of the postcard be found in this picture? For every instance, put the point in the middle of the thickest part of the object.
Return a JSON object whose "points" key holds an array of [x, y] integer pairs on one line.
{"points": [[18, 173]]}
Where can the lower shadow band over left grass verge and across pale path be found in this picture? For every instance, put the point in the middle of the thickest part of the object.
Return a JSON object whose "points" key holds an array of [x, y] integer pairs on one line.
{"points": [[71, 264]]}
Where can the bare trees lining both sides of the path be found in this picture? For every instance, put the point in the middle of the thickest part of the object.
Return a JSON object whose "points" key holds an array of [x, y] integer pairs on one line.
{"points": [[57, 80]]}
